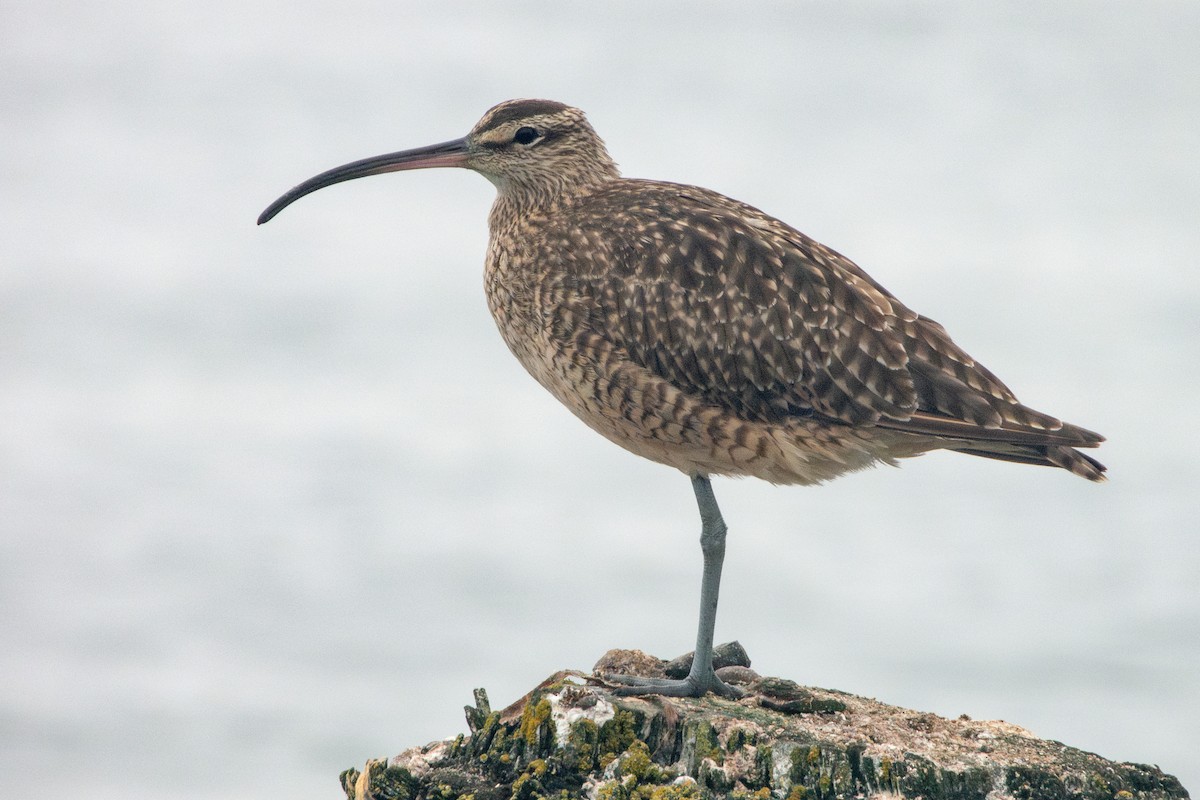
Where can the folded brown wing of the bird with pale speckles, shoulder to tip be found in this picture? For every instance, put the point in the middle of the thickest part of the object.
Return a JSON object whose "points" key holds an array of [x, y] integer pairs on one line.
{"points": [[735, 306]]}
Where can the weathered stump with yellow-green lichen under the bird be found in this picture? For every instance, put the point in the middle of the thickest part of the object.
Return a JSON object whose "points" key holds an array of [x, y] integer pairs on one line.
{"points": [[572, 737]]}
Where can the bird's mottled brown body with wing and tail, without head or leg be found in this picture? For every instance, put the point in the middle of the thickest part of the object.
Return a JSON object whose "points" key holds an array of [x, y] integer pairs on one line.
{"points": [[752, 324]]}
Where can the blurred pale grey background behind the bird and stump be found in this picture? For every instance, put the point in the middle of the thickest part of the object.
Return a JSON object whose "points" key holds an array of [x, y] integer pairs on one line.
{"points": [[275, 500]]}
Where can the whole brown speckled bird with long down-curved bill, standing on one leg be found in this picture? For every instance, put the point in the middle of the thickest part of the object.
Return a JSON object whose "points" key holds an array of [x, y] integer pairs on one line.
{"points": [[703, 334]]}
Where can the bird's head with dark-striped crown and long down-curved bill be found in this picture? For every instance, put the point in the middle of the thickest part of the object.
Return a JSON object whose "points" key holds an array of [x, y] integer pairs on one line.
{"points": [[533, 151]]}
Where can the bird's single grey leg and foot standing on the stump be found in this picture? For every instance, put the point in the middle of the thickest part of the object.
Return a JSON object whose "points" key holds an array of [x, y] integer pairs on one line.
{"points": [[701, 678]]}
